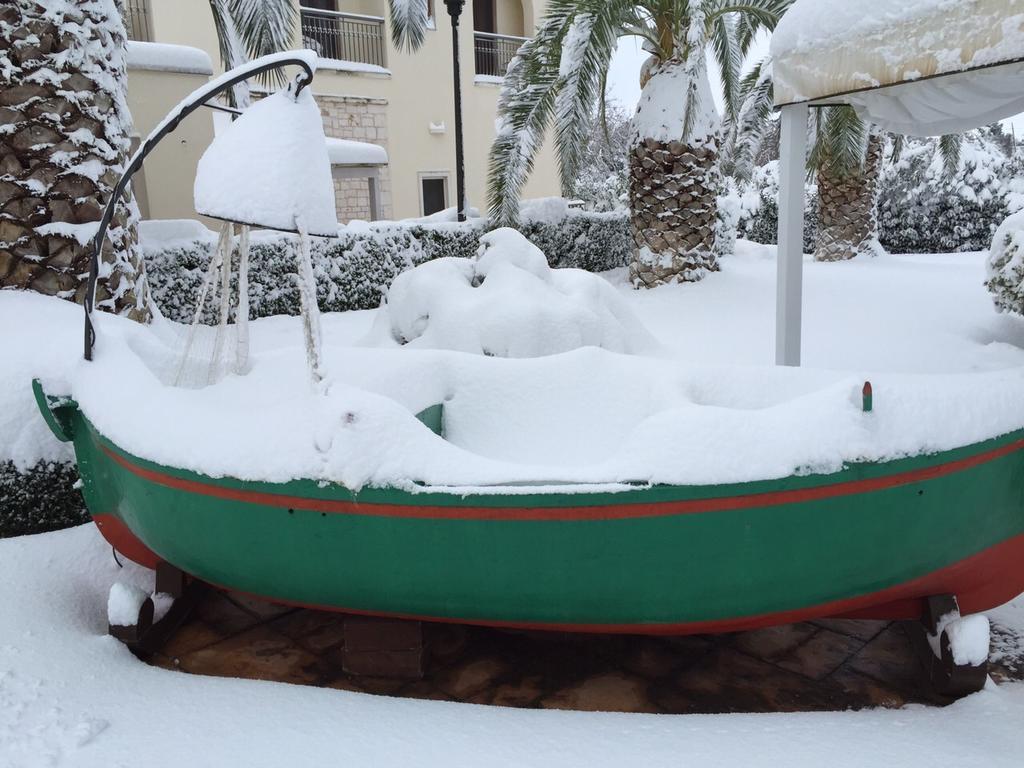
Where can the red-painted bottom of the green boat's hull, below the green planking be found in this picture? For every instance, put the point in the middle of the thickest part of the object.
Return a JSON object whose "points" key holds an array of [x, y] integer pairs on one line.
{"points": [[980, 583]]}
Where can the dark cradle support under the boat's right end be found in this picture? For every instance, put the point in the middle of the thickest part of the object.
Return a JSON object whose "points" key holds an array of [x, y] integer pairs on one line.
{"points": [[946, 676]]}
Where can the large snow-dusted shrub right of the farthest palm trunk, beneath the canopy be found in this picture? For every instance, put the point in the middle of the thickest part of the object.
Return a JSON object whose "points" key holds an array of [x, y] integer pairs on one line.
{"points": [[924, 209]]}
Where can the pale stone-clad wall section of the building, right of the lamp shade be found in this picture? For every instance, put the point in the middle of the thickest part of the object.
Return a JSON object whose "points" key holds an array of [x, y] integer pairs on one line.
{"points": [[360, 119]]}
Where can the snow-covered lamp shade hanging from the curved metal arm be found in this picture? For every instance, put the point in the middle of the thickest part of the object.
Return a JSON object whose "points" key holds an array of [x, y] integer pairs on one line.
{"points": [[271, 169]]}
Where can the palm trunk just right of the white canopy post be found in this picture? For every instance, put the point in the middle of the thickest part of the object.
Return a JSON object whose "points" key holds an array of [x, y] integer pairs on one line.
{"points": [[847, 203]]}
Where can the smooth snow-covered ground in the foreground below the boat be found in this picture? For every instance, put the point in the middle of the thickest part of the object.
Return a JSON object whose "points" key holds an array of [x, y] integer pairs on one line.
{"points": [[70, 696]]}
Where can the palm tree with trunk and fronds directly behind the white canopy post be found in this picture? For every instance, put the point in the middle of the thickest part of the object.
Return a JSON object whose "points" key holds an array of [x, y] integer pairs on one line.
{"points": [[846, 158]]}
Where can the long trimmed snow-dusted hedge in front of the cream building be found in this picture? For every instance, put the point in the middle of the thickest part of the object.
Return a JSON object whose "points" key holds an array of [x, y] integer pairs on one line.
{"points": [[354, 271]]}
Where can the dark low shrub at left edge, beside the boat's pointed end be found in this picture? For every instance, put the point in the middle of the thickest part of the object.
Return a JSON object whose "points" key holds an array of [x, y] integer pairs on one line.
{"points": [[39, 499]]}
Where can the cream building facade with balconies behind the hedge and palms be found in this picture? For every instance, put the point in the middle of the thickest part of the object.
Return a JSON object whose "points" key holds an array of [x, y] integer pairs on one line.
{"points": [[367, 90]]}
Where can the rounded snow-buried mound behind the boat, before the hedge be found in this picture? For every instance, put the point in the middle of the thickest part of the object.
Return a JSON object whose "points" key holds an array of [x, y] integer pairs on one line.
{"points": [[509, 304]]}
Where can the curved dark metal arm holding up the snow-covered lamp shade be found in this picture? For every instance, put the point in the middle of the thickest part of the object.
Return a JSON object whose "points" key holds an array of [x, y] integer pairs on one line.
{"points": [[197, 100]]}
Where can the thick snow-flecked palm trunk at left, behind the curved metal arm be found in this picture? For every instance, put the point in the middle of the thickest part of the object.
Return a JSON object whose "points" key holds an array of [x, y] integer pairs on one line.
{"points": [[65, 138]]}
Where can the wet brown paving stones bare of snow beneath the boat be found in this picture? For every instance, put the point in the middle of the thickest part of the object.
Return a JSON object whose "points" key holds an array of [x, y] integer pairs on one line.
{"points": [[818, 666]]}
